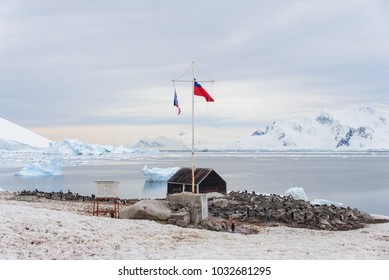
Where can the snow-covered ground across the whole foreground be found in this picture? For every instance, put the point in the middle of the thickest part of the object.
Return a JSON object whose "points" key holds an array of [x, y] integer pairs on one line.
{"points": [[45, 229]]}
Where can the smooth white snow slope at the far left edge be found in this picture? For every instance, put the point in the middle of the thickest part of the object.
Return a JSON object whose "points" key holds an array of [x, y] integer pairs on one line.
{"points": [[15, 137]]}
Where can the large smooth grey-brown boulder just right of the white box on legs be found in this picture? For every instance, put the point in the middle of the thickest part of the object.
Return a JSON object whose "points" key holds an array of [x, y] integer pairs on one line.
{"points": [[147, 209]]}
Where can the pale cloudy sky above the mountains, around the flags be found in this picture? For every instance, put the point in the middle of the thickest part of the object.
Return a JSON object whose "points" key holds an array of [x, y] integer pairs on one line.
{"points": [[101, 71]]}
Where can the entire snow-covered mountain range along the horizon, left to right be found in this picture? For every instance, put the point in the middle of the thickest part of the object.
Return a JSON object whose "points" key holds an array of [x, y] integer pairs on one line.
{"points": [[354, 128]]}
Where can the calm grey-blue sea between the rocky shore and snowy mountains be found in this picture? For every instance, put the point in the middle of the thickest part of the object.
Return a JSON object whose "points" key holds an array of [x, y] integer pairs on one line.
{"points": [[358, 180]]}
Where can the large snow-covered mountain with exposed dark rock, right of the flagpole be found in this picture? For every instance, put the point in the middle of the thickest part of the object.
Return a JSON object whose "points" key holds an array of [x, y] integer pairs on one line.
{"points": [[354, 128]]}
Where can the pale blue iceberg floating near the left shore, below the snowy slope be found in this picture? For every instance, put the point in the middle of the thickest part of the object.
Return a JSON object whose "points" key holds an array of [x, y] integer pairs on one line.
{"points": [[46, 168]]}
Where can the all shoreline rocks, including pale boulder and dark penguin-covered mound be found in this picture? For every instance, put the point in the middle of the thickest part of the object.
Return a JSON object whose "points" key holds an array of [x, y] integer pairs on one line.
{"points": [[246, 207]]}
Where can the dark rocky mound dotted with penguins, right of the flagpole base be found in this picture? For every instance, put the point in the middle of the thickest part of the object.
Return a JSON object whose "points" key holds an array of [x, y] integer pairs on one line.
{"points": [[238, 207]]}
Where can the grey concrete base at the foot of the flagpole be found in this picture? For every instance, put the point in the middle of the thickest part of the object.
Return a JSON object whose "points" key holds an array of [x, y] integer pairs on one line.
{"points": [[197, 203]]}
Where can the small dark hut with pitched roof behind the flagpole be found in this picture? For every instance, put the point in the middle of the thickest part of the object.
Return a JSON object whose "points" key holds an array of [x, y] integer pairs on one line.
{"points": [[206, 180]]}
